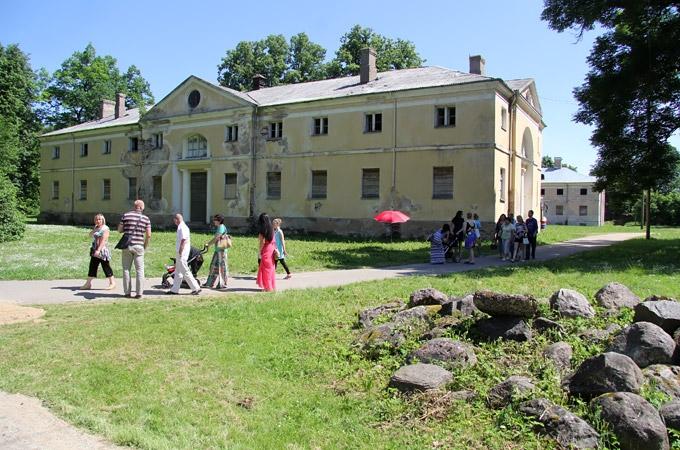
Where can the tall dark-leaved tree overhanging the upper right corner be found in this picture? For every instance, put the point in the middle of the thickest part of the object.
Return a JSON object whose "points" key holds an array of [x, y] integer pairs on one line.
{"points": [[632, 92]]}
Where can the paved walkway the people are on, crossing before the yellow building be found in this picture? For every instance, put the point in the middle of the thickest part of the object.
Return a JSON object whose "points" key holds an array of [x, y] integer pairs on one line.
{"points": [[63, 291]]}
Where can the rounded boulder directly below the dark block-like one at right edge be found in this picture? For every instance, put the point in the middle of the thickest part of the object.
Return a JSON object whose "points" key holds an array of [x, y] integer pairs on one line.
{"points": [[645, 343]]}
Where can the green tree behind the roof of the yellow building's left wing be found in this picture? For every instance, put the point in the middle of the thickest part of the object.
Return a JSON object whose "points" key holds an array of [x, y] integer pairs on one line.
{"points": [[75, 90]]}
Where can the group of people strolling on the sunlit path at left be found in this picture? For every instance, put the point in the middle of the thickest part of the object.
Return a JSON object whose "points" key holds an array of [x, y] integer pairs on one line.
{"points": [[137, 231]]}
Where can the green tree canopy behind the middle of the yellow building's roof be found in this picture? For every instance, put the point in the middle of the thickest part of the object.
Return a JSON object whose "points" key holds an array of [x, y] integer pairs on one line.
{"points": [[300, 59]]}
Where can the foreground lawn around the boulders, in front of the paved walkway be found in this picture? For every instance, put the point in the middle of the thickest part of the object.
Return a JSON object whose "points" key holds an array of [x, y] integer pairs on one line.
{"points": [[282, 371]]}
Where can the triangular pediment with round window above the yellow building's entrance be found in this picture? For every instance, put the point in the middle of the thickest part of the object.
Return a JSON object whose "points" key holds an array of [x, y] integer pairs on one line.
{"points": [[183, 100]]}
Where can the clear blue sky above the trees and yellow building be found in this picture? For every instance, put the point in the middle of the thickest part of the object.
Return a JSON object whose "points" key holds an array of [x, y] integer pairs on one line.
{"points": [[170, 40]]}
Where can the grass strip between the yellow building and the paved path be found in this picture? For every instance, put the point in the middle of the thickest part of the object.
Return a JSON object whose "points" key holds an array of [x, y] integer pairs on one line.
{"points": [[61, 252]]}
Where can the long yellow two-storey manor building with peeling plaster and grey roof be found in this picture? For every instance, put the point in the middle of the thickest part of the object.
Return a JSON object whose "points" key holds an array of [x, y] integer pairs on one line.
{"points": [[325, 155]]}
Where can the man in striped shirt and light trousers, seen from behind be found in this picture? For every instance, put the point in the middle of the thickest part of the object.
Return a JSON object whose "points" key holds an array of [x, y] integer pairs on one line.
{"points": [[138, 227]]}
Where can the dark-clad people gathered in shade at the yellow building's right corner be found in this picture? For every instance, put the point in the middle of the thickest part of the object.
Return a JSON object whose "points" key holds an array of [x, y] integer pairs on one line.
{"points": [[514, 237]]}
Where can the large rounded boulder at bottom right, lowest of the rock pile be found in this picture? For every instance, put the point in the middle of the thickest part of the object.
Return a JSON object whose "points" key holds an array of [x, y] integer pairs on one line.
{"points": [[635, 422]]}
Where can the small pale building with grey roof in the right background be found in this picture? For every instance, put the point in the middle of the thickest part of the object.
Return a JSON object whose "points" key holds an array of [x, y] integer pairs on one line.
{"points": [[568, 197]]}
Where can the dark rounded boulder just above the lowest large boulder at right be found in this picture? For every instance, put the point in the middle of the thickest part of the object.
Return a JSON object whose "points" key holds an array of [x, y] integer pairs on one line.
{"points": [[606, 372]]}
